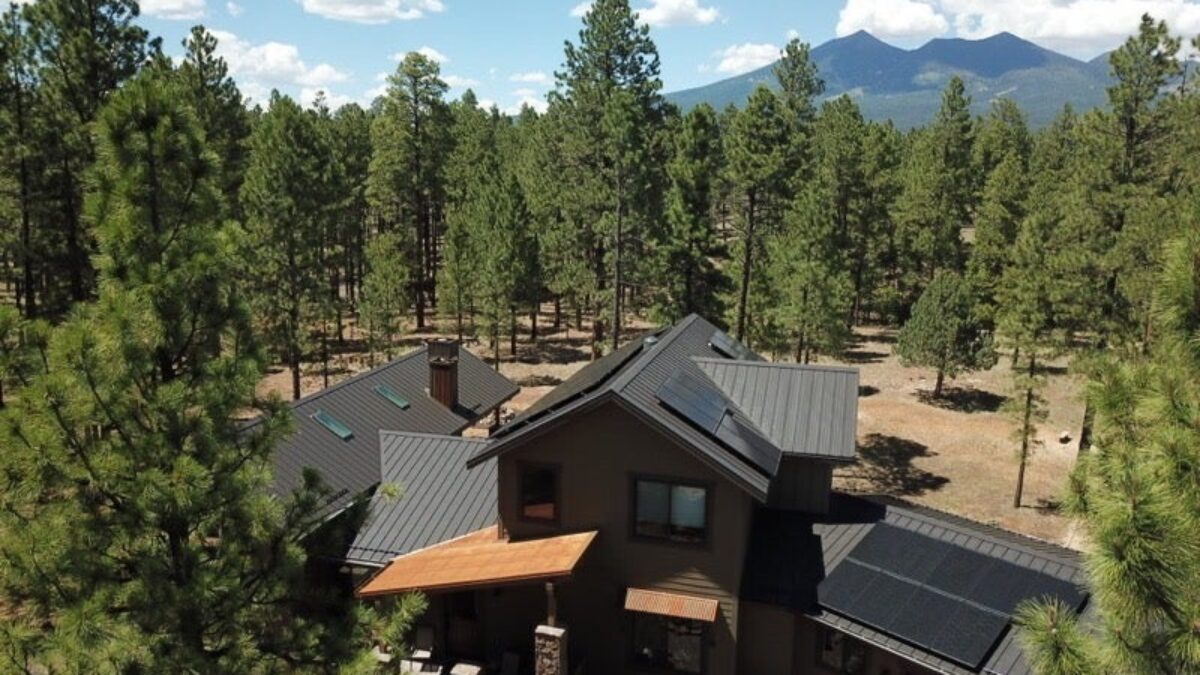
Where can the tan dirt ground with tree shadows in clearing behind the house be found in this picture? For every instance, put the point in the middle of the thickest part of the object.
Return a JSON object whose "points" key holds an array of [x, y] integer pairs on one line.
{"points": [[957, 455]]}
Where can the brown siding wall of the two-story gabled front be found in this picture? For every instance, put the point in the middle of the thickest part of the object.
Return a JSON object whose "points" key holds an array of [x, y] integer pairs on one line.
{"points": [[598, 455]]}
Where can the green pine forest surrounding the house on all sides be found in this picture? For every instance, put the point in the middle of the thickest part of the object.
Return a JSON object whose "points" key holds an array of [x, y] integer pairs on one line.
{"points": [[163, 243]]}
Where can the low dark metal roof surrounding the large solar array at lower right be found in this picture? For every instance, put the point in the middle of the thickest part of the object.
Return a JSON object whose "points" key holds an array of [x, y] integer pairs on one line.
{"points": [[783, 568]]}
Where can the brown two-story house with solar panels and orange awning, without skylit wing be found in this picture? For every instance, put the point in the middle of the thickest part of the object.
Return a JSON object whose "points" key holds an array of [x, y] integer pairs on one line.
{"points": [[670, 510]]}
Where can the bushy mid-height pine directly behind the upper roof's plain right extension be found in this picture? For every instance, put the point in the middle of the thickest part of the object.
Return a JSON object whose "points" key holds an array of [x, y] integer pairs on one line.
{"points": [[808, 270]]}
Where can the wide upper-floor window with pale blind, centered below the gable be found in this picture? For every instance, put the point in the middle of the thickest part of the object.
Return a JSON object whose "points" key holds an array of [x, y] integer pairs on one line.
{"points": [[673, 512]]}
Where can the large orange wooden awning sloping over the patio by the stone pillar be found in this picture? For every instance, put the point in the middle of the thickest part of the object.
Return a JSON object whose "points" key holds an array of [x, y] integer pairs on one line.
{"points": [[481, 559]]}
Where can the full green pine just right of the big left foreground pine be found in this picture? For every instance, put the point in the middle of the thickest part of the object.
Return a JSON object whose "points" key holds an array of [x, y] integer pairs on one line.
{"points": [[286, 213]]}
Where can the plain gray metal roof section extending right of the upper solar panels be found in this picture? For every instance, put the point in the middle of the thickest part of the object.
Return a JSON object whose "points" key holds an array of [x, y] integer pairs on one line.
{"points": [[805, 410]]}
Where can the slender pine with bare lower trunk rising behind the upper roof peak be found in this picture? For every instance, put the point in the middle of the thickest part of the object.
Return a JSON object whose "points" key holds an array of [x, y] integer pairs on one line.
{"points": [[757, 148]]}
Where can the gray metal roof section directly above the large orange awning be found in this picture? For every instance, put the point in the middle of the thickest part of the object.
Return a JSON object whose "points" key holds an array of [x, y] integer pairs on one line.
{"points": [[440, 498]]}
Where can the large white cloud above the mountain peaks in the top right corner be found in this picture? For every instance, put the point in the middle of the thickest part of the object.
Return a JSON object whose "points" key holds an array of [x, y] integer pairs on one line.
{"points": [[1082, 28]]}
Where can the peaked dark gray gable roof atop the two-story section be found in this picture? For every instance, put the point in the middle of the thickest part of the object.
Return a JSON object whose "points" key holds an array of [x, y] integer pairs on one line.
{"points": [[634, 386]]}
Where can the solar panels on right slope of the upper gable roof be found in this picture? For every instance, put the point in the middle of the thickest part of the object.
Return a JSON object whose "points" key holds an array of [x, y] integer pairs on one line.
{"points": [[701, 404]]}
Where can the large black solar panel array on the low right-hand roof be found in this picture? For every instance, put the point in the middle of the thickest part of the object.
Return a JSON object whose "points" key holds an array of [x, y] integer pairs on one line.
{"points": [[941, 598]]}
